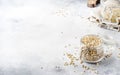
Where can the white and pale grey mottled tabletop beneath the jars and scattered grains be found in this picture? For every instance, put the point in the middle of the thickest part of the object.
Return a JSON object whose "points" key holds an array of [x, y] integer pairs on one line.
{"points": [[33, 34]]}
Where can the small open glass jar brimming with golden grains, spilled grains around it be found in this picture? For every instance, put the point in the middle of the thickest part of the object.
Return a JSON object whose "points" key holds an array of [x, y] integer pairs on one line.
{"points": [[92, 49]]}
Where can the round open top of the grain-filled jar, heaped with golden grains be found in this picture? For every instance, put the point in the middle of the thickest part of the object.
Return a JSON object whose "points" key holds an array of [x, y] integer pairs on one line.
{"points": [[92, 40]]}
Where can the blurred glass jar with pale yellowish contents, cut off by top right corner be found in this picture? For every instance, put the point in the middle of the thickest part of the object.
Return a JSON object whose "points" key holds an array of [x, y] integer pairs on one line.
{"points": [[110, 11]]}
